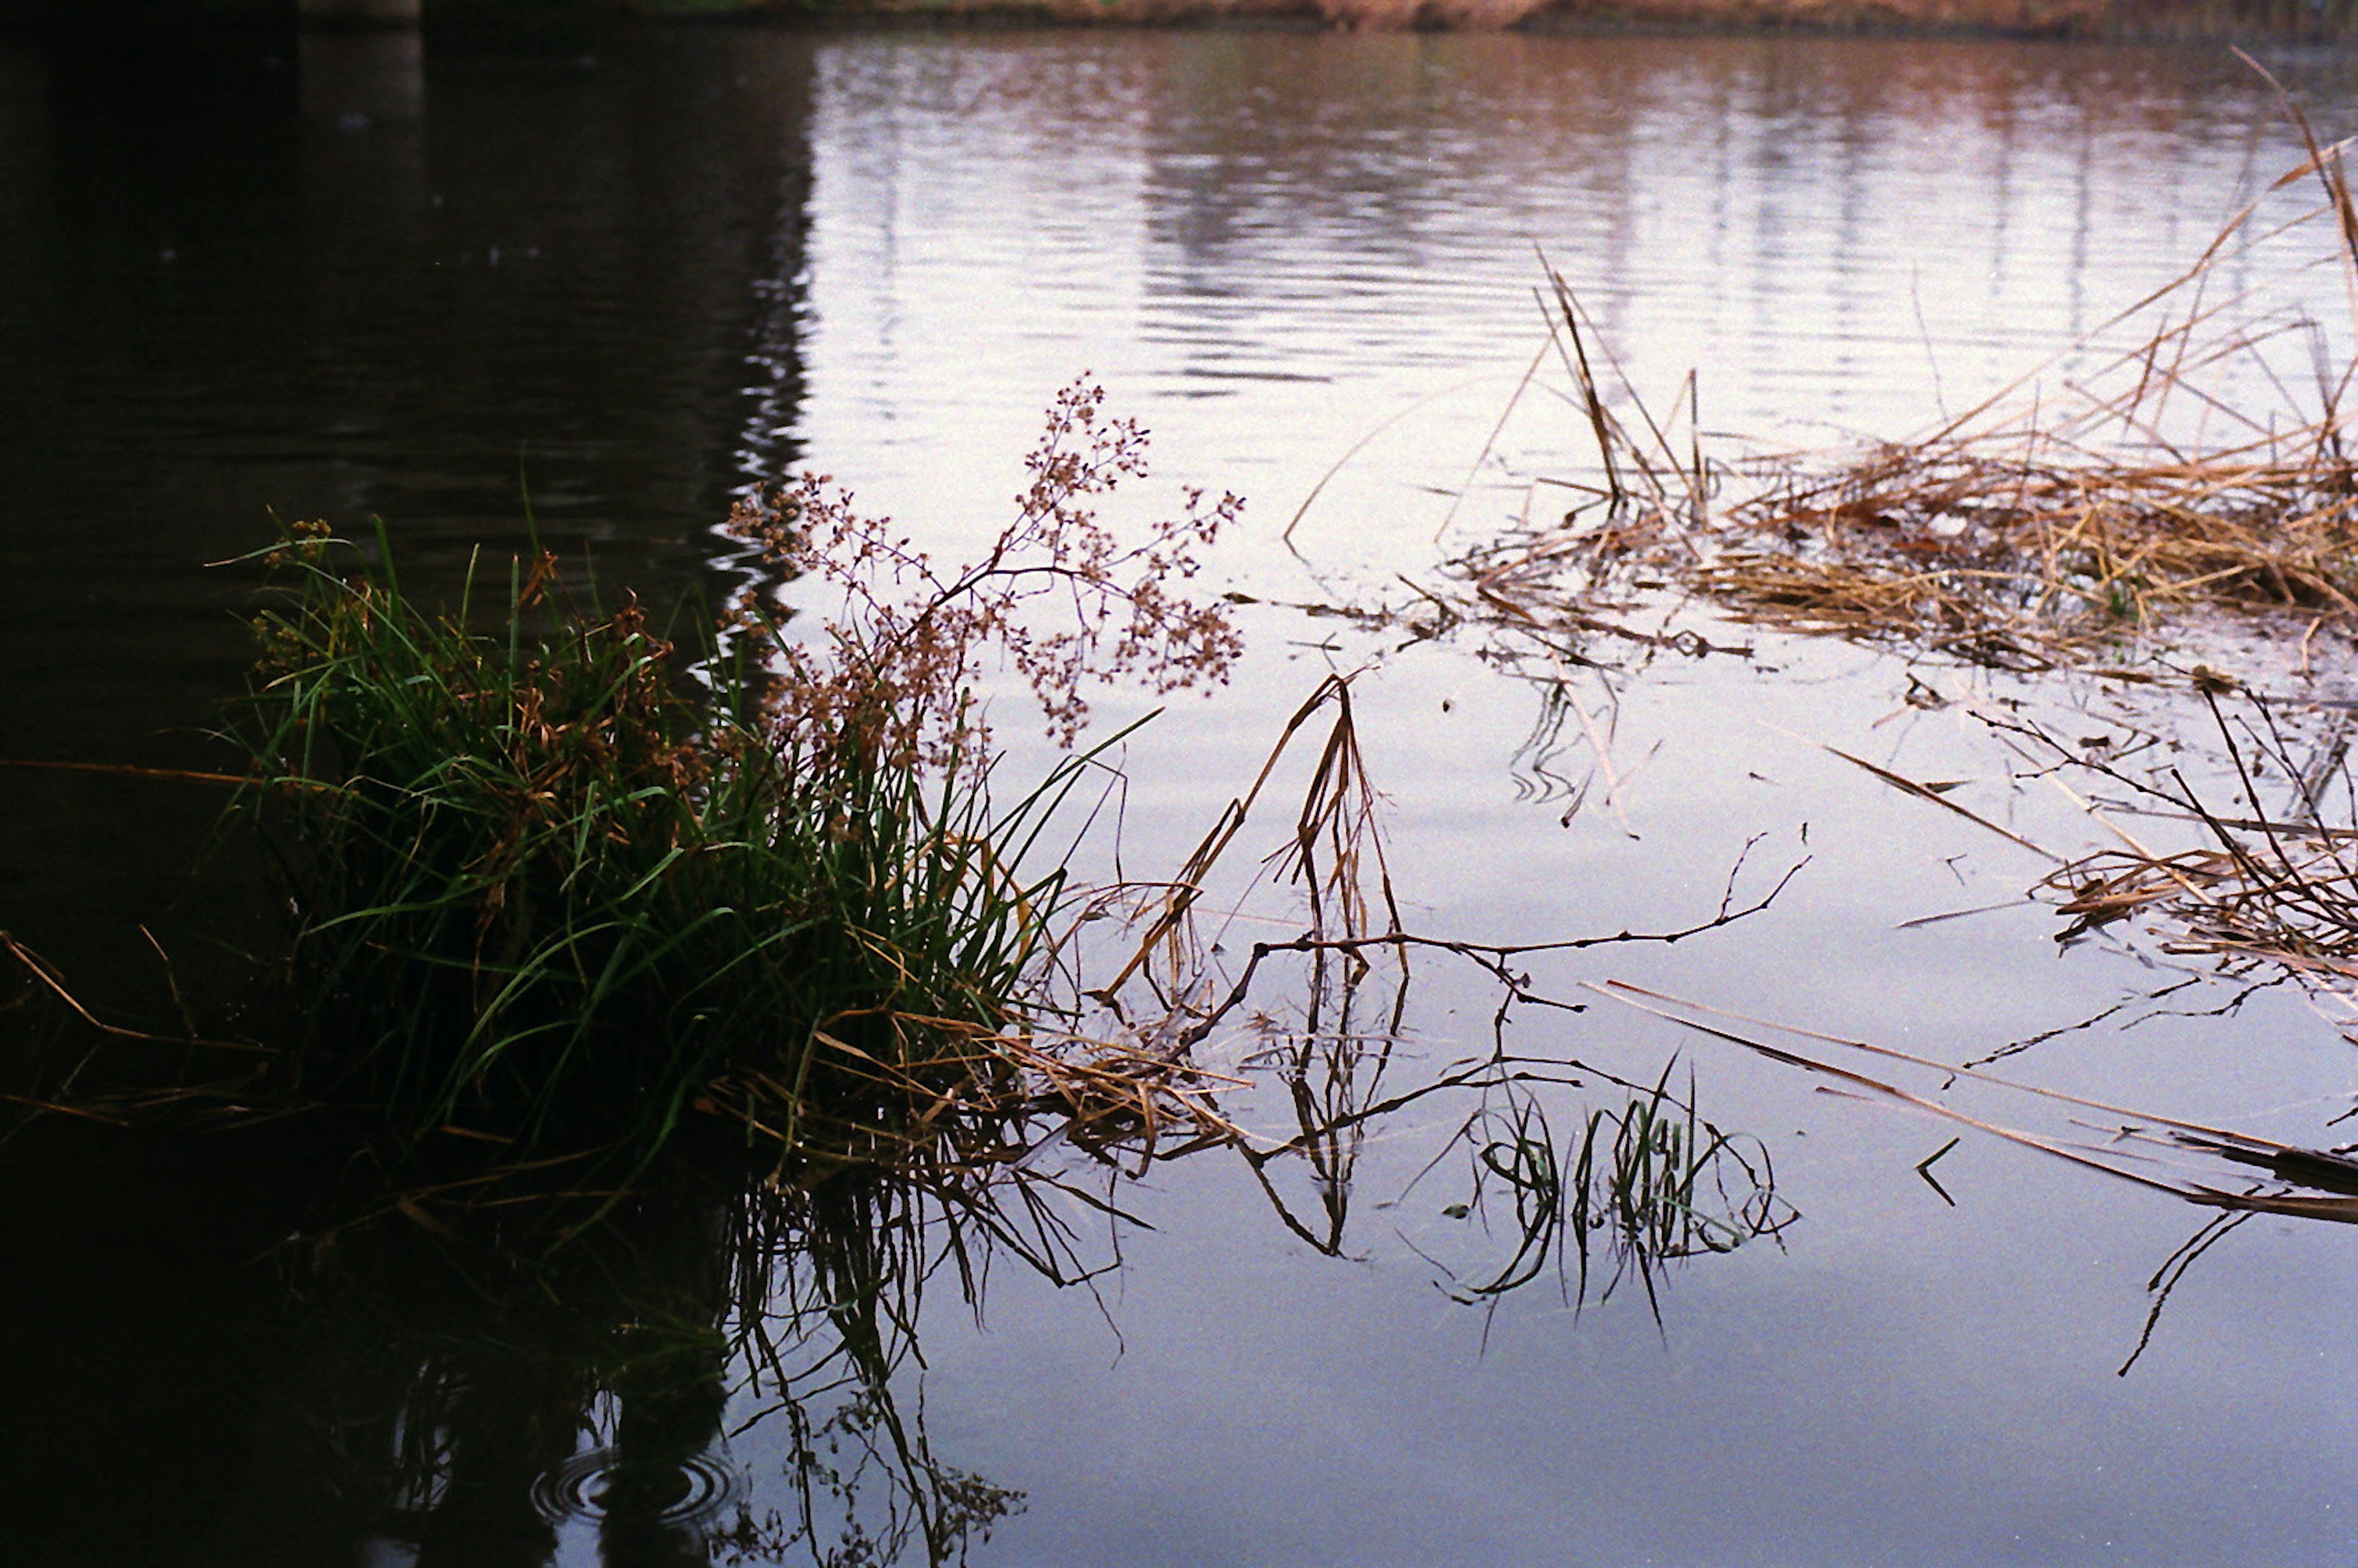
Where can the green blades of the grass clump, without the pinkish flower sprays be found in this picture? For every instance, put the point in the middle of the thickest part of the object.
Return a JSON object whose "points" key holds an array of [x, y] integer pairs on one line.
{"points": [[541, 881]]}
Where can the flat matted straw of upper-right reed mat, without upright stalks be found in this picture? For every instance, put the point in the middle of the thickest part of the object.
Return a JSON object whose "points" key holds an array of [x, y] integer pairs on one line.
{"points": [[2020, 551]]}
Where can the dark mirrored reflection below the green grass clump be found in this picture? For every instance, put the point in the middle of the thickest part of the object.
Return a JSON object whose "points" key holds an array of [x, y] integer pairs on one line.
{"points": [[487, 1388]]}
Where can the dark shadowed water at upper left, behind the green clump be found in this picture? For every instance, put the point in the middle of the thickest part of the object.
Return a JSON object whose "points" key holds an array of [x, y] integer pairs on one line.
{"points": [[454, 282]]}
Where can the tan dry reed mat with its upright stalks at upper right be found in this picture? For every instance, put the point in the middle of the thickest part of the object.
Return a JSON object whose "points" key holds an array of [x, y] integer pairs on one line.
{"points": [[2140, 499]]}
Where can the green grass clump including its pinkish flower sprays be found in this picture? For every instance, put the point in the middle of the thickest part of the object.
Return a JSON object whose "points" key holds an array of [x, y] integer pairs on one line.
{"points": [[546, 874]]}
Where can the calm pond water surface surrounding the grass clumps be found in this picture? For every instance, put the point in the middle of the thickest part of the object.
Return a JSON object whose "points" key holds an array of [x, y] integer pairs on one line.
{"points": [[612, 277]]}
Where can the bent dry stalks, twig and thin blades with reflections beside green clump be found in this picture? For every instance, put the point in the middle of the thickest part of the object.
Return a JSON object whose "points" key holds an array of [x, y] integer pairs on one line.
{"points": [[1640, 1185]]}
